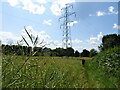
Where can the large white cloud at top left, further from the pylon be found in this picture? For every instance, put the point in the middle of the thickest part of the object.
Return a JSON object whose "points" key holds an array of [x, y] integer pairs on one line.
{"points": [[29, 5]]}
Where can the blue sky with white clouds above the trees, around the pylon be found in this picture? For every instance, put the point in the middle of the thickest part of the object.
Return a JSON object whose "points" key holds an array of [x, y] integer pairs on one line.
{"points": [[41, 17]]}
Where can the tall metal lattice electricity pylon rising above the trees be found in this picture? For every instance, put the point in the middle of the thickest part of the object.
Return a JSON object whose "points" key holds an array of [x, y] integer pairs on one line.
{"points": [[66, 41]]}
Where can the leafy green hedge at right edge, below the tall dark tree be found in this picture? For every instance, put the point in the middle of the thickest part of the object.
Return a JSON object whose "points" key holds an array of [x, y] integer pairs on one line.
{"points": [[110, 60]]}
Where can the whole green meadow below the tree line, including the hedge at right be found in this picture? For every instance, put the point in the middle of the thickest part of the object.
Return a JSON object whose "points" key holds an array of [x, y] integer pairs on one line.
{"points": [[101, 71]]}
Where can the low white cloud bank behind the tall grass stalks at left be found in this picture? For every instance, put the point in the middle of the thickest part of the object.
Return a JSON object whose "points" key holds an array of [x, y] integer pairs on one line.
{"points": [[42, 36]]}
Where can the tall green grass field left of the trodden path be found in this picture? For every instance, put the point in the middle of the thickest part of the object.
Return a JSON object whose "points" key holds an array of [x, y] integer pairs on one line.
{"points": [[43, 72]]}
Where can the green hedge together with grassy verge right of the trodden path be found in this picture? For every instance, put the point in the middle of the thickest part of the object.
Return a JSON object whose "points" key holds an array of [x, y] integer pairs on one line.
{"points": [[105, 68]]}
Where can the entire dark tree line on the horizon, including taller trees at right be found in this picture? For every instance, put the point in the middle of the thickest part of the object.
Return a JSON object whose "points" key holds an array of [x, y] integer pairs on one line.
{"points": [[108, 41]]}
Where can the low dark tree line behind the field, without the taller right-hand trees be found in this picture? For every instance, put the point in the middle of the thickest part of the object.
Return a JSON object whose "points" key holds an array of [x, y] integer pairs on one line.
{"points": [[60, 52]]}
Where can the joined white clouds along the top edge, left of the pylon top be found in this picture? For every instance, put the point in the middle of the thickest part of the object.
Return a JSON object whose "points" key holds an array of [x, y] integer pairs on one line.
{"points": [[36, 6]]}
